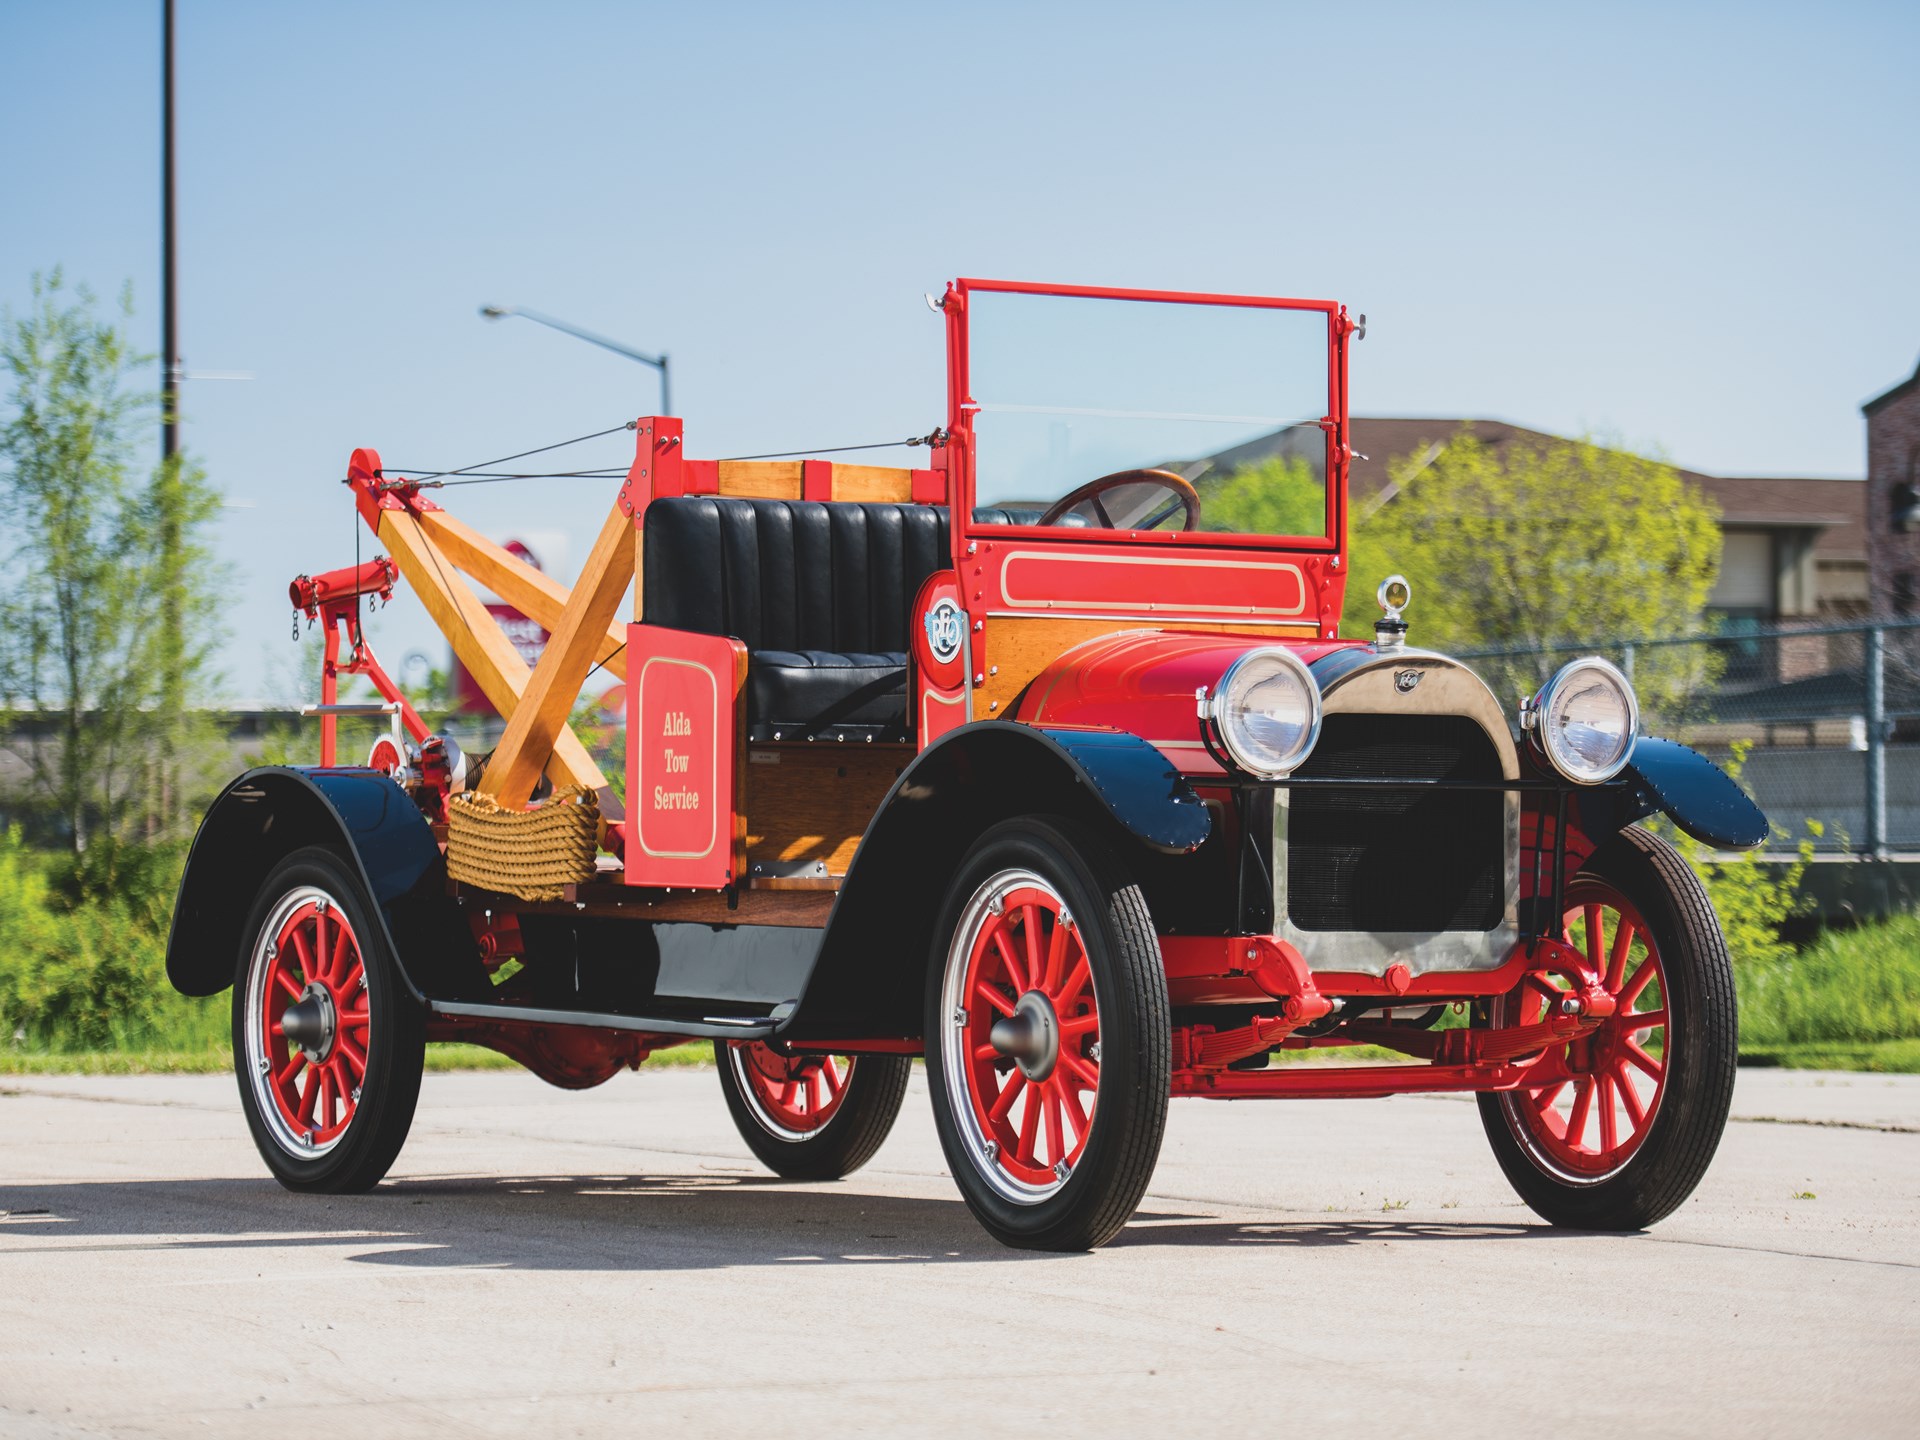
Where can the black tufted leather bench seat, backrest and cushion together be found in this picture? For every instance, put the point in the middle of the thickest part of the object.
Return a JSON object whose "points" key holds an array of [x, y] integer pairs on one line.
{"points": [[819, 594]]}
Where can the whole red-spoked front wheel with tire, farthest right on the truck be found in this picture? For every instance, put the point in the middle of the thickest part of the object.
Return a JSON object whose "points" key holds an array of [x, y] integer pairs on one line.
{"points": [[1625, 1118]]}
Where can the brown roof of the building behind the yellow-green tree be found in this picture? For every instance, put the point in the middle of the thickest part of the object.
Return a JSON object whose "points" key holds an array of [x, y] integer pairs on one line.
{"points": [[1836, 508]]}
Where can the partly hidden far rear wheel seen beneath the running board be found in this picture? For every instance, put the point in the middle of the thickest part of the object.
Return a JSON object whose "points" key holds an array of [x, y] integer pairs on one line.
{"points": [[811, 1116]]}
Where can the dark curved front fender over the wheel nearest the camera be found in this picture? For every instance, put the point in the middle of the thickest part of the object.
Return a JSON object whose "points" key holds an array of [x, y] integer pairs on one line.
{"points": [[871, 969]]}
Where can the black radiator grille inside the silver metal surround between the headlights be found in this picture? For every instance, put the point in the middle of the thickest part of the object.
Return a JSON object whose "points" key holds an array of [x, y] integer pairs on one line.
{"points": [[1397, 859]]}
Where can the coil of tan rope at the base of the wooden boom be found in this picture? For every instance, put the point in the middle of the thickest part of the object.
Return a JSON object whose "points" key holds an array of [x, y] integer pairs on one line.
{"points": [[531, 855]]}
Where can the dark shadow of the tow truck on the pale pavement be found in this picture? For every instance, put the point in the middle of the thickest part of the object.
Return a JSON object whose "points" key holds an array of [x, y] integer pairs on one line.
{"points": [[598, 1224]]}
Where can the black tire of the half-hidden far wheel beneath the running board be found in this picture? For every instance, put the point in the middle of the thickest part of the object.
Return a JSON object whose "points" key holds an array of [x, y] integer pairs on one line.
{"points": [[855, 1130]]}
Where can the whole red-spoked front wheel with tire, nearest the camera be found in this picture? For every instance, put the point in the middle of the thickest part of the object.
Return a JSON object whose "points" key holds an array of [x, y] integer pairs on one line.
{"points": [[1049, 1044]]}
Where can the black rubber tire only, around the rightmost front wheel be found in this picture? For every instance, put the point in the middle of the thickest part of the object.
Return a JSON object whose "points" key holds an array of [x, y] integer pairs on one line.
{"points": [[1700, 1055]]}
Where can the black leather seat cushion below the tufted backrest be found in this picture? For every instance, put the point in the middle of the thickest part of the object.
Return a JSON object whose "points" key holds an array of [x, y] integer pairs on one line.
{"points": [[827, 696]]}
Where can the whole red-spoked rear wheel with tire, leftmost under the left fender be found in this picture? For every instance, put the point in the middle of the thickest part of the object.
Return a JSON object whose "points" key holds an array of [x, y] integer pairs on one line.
{"points": [[327, 1042]]}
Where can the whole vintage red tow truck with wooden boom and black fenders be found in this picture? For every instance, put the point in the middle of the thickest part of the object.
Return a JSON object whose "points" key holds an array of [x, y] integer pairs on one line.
{"points": [[1045, 763]]}
